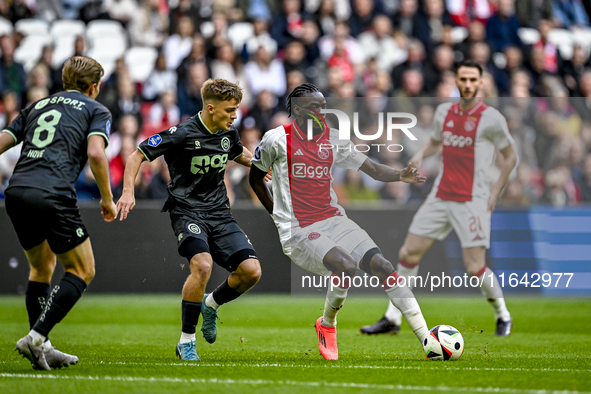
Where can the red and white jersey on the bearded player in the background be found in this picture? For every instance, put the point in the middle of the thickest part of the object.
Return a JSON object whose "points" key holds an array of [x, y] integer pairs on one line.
{"points": [[470, 140]]}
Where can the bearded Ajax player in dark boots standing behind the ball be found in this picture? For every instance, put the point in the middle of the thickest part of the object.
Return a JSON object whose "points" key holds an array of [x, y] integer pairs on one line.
{"points": [[470, 132]]}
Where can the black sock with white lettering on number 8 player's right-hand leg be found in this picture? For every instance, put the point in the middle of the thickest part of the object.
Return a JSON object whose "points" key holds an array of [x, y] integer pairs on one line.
{"points": [[62, 298]]}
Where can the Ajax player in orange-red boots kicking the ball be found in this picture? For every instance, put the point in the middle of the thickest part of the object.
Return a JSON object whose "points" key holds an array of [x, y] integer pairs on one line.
{"points": [[314, 230]]}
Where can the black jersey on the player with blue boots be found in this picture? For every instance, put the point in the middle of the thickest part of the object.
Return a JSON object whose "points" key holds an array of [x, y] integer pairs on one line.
{"points": [[196, 160]]}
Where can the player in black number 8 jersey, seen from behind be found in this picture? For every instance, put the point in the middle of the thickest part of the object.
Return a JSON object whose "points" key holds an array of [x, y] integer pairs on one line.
{"points": [[58, 134]]}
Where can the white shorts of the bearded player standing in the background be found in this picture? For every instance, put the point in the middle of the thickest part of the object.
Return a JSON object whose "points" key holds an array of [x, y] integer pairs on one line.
{"points": [[436, 218]]}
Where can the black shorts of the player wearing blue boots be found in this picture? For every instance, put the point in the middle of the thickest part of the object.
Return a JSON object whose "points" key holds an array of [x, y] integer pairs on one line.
{"points": [[217, 233]]}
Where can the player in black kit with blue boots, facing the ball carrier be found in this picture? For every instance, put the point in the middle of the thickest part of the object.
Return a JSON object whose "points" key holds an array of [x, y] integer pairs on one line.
{"points": [[197, 152]]}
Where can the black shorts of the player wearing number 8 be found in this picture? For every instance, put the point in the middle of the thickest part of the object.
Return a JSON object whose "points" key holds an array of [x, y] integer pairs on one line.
{"points": [[38, 215]]}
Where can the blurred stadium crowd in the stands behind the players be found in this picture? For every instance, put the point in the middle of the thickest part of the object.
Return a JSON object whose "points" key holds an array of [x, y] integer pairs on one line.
{"points": [[157, 53]]}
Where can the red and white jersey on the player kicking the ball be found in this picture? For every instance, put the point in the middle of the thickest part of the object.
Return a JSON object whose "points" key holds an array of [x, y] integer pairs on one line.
{"points": [[302, 174]]}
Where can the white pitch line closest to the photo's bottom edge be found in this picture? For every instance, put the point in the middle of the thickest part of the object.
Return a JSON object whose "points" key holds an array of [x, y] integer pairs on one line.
{"points": [[260, 382]]}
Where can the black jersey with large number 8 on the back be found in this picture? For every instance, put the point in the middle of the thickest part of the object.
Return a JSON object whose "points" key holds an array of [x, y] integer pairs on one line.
{"points": [[54, 132]]}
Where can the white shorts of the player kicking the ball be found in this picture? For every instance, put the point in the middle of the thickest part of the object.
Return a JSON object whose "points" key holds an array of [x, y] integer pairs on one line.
{"points": [[309, 245]]}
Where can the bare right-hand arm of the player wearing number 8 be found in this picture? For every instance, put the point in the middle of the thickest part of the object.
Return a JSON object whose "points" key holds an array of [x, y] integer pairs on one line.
{"points": [[100, 169]]}
